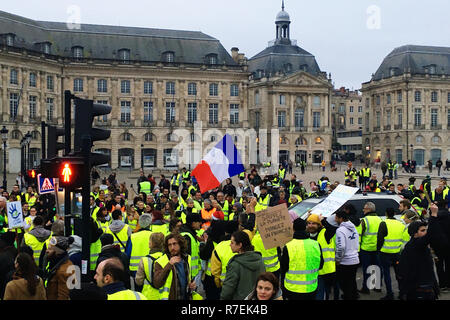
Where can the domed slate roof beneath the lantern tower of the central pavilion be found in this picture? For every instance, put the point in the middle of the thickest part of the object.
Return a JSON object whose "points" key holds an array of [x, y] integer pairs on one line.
{"points": [[276, 58]]}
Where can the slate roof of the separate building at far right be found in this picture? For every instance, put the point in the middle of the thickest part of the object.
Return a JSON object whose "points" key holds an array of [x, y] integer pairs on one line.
{"points": [[414, 59]]}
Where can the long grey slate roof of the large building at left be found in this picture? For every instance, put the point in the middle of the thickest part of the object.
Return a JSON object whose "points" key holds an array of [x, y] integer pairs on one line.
{"points": [[103, 41]]}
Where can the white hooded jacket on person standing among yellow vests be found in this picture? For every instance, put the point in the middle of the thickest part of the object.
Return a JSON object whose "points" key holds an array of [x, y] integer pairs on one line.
{"points": [[347, 244]]}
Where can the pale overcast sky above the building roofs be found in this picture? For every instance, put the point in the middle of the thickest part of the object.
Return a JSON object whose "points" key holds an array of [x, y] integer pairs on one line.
{"points": [[349, 38]]}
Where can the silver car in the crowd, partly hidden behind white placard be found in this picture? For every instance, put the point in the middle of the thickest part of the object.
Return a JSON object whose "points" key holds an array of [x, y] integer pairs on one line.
{"points": [[381, 200]]}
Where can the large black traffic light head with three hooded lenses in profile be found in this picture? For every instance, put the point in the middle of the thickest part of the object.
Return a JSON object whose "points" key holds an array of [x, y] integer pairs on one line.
{"points": [[85, 112]]}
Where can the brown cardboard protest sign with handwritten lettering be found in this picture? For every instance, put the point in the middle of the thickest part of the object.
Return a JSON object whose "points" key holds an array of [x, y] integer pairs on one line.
{"points": [[275, 226]]}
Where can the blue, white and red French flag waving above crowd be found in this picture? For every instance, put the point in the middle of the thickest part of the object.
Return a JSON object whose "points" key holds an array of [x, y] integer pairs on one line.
{"points": [[222, 162]]}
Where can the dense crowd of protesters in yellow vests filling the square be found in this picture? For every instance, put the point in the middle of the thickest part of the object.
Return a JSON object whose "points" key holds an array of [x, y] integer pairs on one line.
{"points": [[169, 241]]}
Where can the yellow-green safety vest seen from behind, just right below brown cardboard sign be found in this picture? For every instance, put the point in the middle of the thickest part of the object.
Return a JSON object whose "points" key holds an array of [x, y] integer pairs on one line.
{"points": [[304, 263]]}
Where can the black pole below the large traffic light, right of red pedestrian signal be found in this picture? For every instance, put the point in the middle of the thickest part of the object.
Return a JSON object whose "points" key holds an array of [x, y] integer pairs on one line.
{"points": [[85, 210]]}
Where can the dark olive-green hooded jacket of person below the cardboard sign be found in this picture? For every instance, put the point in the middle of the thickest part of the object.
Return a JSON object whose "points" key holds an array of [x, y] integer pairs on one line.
{"points": [[242, 271]]}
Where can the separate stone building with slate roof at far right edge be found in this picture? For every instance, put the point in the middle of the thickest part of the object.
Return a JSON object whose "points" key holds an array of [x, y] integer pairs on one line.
{"points": [[407, 106]]}
